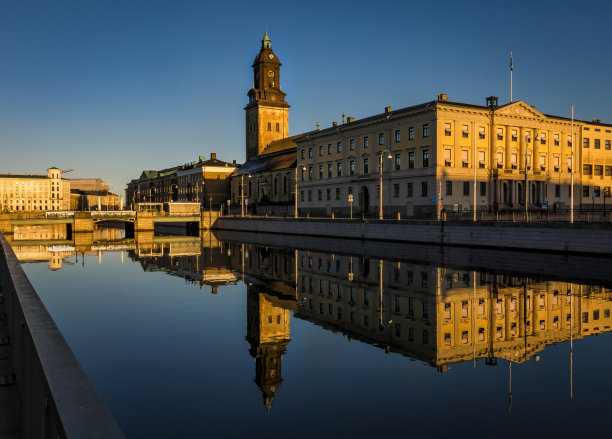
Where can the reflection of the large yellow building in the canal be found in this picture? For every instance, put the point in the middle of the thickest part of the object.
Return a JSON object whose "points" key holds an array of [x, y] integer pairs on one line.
{"points": [[437, 315]]}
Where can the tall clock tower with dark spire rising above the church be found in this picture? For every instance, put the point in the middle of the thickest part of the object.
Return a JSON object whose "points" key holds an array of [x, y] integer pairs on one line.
{"points": [[267, 113]]}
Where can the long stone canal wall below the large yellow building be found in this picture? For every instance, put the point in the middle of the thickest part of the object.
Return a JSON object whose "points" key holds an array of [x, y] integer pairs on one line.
{"points": [[577, 238]]}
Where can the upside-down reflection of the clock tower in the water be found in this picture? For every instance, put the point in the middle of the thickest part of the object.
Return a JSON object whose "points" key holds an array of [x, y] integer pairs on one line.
{"points": [[268, 334]]}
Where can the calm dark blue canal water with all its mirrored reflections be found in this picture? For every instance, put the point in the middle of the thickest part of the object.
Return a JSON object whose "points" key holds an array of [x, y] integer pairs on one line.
{"points": [[187, 337]]}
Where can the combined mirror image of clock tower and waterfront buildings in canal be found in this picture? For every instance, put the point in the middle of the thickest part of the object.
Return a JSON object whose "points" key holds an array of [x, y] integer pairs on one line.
{"points": [[437, 315]]}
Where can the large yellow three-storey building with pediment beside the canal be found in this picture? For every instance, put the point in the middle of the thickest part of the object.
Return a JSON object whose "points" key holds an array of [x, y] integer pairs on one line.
{"points": [[457, 157]]}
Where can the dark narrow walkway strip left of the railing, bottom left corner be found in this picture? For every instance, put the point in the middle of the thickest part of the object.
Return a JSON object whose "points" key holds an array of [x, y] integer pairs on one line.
{"points": [[10, 405]]}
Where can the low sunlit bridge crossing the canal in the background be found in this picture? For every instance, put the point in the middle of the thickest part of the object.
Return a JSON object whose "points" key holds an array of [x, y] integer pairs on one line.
{"points": [[83, 222]]}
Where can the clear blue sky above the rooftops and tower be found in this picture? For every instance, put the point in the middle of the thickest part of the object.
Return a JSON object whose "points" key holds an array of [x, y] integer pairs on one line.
{"points": [[109, 88]]}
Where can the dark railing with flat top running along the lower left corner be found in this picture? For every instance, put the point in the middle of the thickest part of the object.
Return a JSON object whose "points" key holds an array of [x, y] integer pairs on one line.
{"points": [[58, 400]]}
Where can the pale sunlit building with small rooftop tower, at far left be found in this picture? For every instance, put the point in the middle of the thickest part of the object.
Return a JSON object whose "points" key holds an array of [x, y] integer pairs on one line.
{"points": [[27, 193]]}
